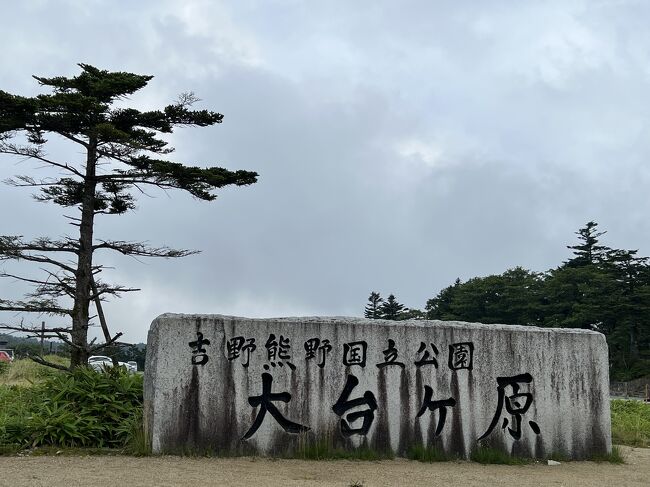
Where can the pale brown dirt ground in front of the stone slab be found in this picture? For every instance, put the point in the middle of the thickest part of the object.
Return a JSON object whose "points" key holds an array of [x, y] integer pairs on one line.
{"points": [[92, 471]]}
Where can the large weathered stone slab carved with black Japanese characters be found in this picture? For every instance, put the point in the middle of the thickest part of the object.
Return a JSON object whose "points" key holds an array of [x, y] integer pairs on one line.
{"points": [[233, 385]]}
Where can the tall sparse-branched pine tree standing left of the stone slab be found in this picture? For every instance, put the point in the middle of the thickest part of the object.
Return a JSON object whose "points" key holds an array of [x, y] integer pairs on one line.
{"points": [[123, 154]]}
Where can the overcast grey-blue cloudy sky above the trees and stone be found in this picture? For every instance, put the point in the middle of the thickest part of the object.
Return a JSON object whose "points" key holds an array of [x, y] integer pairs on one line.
{"points": [[400, 145]]}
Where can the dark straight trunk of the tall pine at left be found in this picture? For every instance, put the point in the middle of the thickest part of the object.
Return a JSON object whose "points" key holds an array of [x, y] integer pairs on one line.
{"points": [[80, 313]]}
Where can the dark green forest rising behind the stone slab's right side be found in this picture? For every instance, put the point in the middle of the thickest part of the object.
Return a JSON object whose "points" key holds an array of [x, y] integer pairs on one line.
{"points": [[599, 288]]}
